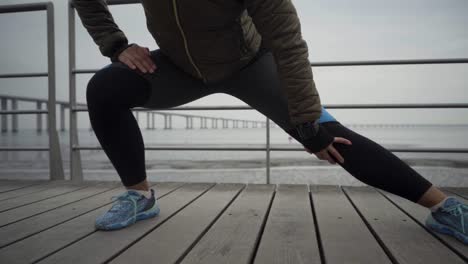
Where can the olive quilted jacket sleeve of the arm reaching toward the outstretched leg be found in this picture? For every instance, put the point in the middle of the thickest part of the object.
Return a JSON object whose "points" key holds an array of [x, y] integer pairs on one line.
{"points": [[278, 24]]}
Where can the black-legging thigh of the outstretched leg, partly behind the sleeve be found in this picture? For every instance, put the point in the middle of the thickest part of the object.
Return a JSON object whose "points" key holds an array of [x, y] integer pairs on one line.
{"points": [[259, 86]]}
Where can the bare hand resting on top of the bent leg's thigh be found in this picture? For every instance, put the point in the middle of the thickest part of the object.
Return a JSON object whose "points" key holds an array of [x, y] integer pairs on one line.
{"points": [[136, 56]]}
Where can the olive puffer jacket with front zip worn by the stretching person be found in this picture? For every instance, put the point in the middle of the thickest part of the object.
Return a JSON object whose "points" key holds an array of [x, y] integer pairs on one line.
{"points": [[212, 39]]}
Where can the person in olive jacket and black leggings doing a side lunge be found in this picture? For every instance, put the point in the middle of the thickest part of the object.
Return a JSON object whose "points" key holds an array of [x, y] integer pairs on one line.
{"points": [[252, 50]]}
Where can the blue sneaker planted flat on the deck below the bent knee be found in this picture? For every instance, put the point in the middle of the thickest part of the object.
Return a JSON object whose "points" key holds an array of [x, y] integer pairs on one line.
{"points": [[128, 208]]}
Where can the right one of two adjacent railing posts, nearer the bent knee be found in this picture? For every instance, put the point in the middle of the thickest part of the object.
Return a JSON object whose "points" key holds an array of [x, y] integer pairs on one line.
{"points": [[76, 173]]}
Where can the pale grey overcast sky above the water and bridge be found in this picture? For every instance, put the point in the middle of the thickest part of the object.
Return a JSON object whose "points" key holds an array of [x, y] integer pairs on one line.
{"points": [[338, 30]]}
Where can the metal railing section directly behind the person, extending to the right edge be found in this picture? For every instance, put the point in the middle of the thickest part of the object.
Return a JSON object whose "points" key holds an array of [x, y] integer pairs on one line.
{"points": [[76, 171]]}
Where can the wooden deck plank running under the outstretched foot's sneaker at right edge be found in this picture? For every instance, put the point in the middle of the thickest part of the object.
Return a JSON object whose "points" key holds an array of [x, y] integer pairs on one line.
{"points": [[420, 213]]}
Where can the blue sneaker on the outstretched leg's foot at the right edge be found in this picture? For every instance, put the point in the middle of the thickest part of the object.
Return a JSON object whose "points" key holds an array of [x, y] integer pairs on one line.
{"points": [[450, 219]]}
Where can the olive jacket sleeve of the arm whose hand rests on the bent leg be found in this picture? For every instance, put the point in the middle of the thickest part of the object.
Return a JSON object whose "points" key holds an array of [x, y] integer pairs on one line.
{"points": [[100, 24]]}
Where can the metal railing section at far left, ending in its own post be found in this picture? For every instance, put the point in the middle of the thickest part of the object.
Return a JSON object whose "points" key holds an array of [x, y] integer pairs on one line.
{"points": [[55, 158]]}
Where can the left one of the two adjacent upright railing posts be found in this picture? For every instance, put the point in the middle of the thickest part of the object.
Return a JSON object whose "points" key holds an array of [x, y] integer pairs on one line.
{"points": [[55, 156]]}
